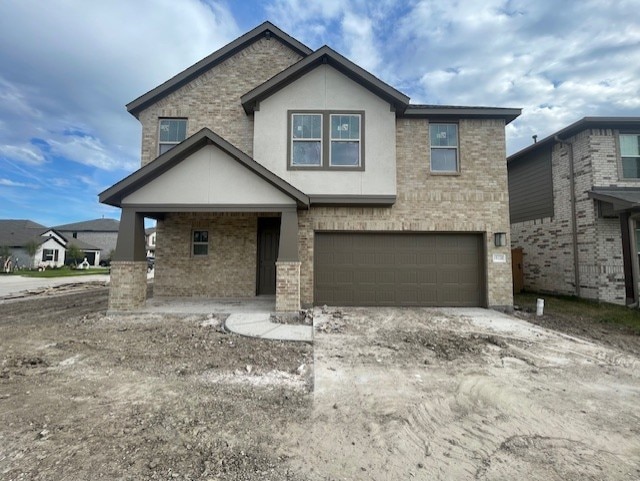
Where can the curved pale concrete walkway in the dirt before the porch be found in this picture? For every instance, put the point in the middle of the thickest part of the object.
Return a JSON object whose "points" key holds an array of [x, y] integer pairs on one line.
{"points": [[259, 325]]}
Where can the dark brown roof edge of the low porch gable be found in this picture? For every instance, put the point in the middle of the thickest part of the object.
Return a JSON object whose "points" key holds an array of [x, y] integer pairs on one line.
{"points": [[115, 194]]}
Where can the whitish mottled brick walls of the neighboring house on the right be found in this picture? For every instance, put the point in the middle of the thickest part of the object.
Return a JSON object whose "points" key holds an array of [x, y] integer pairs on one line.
{"points": [[548, 243]]}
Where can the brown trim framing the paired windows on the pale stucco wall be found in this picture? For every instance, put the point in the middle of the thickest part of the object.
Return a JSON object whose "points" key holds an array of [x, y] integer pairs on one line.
{"points": [[326, 141]]}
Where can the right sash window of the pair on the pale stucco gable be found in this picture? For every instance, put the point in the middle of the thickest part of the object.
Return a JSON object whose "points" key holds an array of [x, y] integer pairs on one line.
{"points": [[345, 140]]}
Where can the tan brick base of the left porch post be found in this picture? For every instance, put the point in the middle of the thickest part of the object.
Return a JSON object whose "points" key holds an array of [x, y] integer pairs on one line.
{"points": [[128, 287]]}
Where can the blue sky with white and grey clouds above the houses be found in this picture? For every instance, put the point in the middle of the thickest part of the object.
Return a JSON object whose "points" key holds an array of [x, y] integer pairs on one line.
{"points": [[68, 67]]}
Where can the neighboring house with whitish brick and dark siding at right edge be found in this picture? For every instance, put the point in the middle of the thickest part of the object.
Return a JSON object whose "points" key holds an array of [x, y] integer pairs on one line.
{"points": [[575, 201]]}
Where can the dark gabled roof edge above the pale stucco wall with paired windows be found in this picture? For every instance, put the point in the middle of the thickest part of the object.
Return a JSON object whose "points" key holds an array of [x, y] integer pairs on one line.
{"points": [[324, 55]]}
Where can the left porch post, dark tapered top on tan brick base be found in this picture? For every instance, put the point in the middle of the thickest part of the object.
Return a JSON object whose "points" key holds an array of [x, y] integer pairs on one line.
{"points": [[128, 288]]}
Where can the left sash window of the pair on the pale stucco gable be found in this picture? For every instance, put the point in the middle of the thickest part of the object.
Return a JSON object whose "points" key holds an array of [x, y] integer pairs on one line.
{"points": [[306, 139]]}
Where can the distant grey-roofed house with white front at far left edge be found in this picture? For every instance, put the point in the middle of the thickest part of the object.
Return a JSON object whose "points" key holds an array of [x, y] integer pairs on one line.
{"points": [[17, 234]]}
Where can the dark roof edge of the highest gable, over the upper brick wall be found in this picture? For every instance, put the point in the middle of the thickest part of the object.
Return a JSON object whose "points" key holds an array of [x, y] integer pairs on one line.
{"points": [[266, 29]]}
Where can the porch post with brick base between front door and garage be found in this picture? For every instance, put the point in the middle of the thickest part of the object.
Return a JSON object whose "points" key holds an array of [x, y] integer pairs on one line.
{"points": [[288, 264]]}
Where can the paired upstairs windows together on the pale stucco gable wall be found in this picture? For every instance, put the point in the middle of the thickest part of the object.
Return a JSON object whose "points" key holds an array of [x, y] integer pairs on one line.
{"points": [[326, 140]]}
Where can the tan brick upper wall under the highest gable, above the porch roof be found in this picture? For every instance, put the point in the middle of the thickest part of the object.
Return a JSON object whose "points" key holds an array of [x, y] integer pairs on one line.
{"points": [[213, 99]]}
